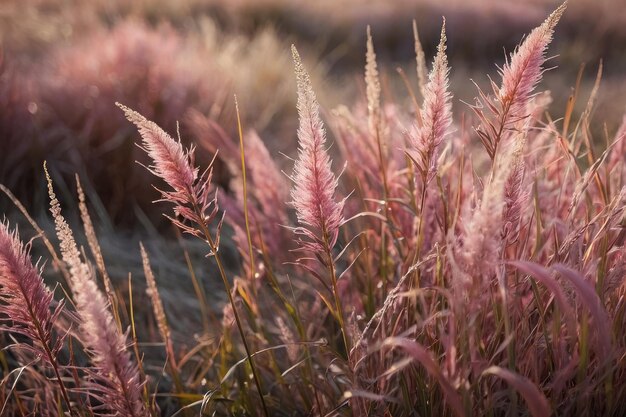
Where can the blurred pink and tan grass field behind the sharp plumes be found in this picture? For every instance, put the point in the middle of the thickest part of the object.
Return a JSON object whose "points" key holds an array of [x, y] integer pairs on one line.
{"points": [[64, 63]]}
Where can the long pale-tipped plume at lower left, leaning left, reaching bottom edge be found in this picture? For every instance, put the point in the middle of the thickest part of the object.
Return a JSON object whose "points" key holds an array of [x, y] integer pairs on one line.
{"points": [[117, 378]]}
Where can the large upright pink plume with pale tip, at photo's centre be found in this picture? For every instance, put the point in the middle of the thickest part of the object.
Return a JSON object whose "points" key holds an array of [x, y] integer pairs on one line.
{"points": [[319, 214]]}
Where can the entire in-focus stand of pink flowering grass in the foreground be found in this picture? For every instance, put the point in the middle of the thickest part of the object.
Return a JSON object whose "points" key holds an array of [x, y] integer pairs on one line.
{"points": [[462, 263]]}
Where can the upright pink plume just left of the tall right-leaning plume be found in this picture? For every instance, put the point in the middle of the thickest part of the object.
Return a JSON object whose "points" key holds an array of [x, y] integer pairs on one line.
{"points": [[436, 113]]}
